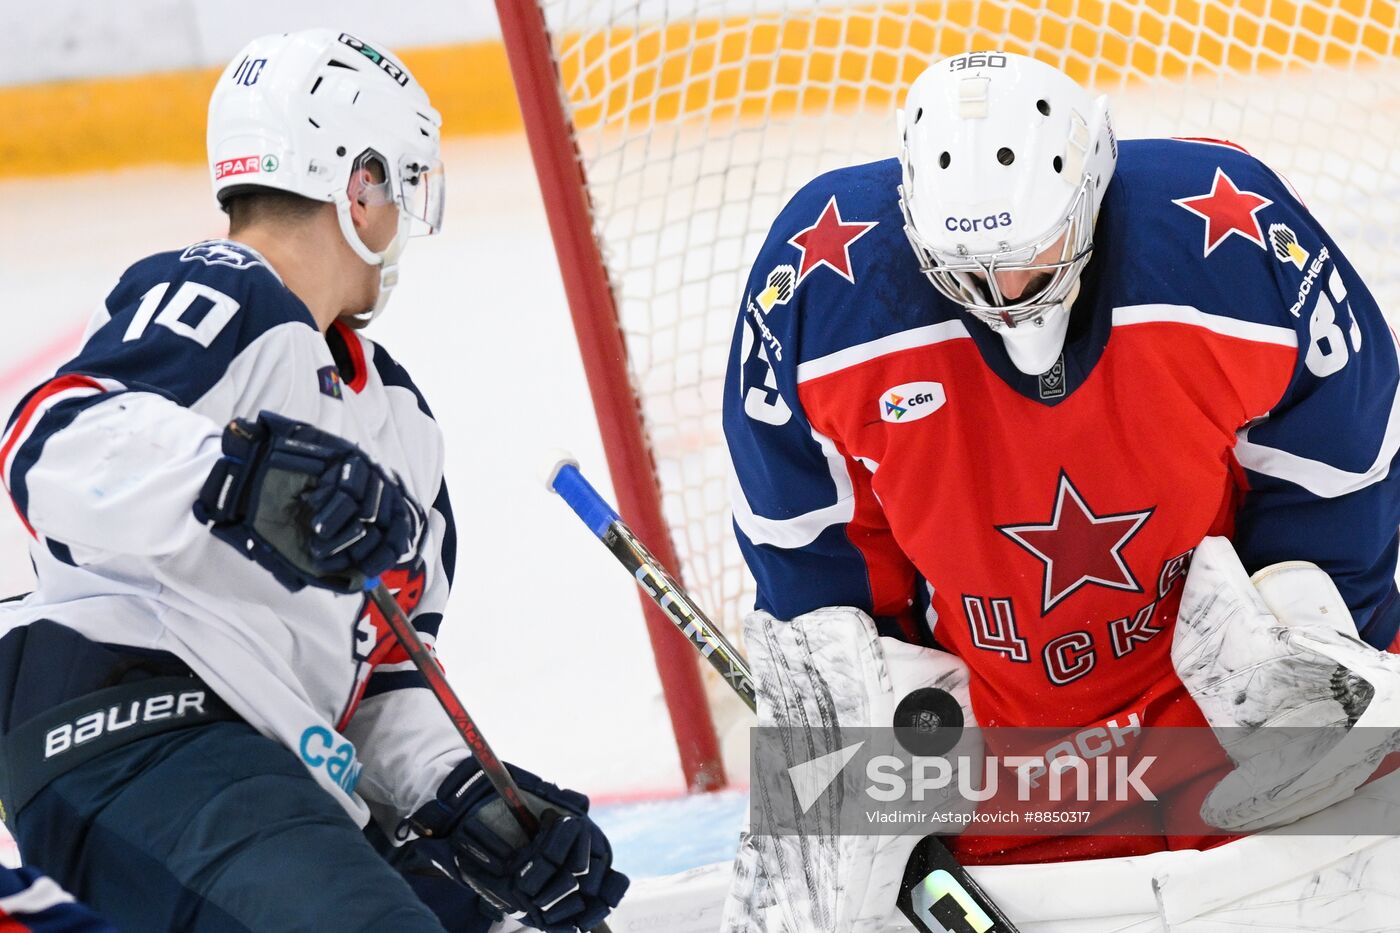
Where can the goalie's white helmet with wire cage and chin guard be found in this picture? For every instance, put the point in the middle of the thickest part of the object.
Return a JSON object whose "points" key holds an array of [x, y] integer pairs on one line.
{"points": [[1006, 162]]}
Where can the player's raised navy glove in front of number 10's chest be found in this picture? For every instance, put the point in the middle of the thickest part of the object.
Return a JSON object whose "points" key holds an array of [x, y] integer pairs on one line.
{"points": [[309, 506]]}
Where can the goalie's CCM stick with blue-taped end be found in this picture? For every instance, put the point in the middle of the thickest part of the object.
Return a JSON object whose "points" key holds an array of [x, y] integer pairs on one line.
{"points": [[932, 873]]}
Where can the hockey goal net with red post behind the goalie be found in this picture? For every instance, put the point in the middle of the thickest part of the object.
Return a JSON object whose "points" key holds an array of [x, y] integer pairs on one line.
{"points": [[668, 135]]}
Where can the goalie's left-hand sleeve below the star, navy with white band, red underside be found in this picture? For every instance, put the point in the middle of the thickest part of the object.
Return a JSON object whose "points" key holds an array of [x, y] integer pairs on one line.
{"points": [[807, 522]]}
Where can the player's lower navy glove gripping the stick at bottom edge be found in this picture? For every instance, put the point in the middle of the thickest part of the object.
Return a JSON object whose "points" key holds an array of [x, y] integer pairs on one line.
{"points": [[559, 882]]}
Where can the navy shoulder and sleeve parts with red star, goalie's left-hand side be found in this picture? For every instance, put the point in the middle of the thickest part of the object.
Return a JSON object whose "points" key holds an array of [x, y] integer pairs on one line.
{"points": [[796, 309]]}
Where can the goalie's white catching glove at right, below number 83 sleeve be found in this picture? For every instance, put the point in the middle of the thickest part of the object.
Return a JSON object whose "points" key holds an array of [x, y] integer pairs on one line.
{"points": [[1303, 707]]}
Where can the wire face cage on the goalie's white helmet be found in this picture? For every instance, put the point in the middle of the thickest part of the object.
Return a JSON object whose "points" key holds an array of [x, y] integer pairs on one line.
{"points": [[1037, 277]]}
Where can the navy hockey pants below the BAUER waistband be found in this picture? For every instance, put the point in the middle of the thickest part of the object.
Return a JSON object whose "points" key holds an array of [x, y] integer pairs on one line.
{"points": [[213, 830]]}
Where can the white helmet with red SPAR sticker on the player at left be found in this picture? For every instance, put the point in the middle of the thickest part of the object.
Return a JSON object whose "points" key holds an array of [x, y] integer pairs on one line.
{"points": [[306, 111]]}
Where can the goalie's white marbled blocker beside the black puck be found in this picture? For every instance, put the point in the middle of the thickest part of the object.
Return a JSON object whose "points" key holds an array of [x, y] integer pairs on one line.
{"points": [[825, 672]]}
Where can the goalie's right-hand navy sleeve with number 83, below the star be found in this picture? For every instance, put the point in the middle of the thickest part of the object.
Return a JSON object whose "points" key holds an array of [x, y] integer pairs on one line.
{"points": [[1321, 469]]}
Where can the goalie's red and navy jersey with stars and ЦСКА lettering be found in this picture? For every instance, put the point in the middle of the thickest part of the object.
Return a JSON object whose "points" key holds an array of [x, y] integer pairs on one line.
{"points": [[1227, 373]]}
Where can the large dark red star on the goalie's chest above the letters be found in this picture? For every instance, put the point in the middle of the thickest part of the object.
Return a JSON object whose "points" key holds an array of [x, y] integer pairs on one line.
{"points": [[1080, 547]]}
